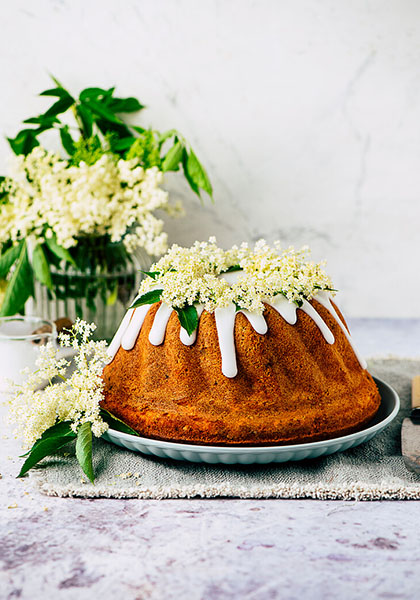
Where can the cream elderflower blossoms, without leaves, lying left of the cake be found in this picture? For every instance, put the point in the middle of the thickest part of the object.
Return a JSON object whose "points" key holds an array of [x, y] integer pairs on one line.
{"points": [[76, 398]]}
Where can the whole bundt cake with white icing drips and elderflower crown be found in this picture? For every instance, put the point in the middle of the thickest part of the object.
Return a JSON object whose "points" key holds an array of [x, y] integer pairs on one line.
{"points": [[237, 347]]}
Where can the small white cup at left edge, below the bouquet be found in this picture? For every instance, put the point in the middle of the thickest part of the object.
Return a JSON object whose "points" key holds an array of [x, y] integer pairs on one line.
{"points": [[20, 340]]}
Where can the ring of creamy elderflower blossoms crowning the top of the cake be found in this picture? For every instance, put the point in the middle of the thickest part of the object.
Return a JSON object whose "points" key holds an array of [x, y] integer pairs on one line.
{"points": [[189, 275]]}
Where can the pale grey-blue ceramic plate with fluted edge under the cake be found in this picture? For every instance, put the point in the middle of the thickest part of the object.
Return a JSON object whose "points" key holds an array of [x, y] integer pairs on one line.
{"points": [[388, 410]]}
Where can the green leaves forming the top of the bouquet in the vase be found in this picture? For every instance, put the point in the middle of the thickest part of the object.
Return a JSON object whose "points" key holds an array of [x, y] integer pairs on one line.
{"points": [[100, 126]]}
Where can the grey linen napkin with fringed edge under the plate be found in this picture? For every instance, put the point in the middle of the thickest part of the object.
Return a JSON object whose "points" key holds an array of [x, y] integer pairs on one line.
{"points": [[373, 471]]}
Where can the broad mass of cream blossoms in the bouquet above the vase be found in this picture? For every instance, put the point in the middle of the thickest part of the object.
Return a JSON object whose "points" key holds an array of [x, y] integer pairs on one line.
{"points": [[113, 196]]}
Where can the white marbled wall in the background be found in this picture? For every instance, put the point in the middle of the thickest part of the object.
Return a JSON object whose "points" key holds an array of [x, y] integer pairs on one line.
{"points": [[307, 115]]}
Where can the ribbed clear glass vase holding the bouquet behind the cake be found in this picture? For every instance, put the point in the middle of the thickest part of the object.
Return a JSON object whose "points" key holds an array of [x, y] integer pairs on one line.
{"points": [[98, 290]]}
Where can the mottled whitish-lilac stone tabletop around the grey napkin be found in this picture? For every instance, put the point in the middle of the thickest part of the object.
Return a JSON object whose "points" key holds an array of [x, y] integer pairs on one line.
{"points": [[207, 549]]}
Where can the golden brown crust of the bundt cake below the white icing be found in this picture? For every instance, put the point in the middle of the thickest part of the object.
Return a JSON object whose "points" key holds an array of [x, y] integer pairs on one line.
{"points": [[292, 386]]}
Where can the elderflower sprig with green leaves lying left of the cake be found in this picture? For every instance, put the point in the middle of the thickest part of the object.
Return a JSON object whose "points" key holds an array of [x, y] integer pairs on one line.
{"points": [[68, 409]]}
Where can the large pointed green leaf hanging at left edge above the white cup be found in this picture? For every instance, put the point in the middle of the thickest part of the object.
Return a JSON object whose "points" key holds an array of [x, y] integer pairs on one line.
{"points": [[20, 286]]}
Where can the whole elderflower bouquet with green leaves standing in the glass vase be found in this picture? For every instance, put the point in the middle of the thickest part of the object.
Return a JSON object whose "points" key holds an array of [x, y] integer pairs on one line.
{"points": [[89, 211]]}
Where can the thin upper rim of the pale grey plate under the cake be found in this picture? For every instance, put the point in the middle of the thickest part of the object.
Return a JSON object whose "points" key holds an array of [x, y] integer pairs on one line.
{"points": [[197, 448]]}
